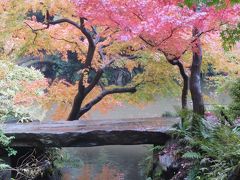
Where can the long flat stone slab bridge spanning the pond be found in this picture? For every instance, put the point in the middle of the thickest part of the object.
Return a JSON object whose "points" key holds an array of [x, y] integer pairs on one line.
{"points": [[90, 133]]}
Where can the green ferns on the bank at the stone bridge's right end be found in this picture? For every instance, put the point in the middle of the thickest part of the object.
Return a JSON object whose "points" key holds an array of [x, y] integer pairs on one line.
{"points": [[214, 149]]}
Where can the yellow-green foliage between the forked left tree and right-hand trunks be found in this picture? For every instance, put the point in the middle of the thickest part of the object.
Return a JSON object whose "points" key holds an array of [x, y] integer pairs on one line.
{"points": [[159, 78]]}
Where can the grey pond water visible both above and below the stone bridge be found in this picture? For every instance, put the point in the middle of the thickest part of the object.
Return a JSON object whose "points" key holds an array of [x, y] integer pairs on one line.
{"points": [[116, 162]]}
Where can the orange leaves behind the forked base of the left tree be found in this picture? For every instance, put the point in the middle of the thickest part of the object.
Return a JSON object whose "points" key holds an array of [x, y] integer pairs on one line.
{"points": [[61, 93]]}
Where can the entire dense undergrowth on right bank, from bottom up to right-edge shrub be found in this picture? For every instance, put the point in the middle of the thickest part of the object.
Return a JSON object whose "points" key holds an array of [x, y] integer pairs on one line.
{"points": [[210, 150]]}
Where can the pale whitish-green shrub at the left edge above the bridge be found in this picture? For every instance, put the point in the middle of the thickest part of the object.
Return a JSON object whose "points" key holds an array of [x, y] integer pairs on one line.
{"points": [[11, 77]]}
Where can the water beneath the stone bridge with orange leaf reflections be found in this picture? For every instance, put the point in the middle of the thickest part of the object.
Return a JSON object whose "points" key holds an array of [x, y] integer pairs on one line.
{"points": [[122, 162]]}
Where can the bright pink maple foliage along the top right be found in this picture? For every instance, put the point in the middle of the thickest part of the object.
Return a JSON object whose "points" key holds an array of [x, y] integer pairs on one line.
{"points": [[163, 22]]}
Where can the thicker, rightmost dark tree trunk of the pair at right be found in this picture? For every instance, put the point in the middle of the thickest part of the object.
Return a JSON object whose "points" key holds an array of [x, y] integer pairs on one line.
{"points": [[195, 79]]}
